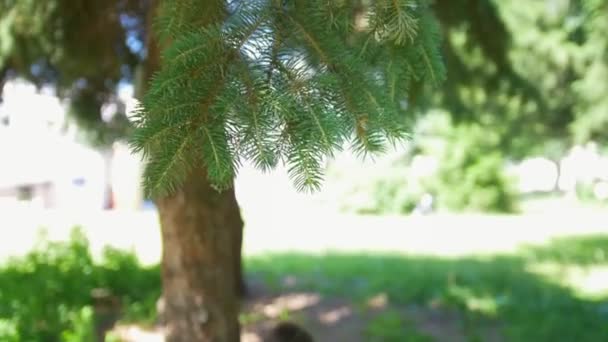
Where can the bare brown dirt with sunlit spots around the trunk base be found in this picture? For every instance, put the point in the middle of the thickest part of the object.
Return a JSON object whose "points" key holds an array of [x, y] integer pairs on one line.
{"points": [[330, 319]]}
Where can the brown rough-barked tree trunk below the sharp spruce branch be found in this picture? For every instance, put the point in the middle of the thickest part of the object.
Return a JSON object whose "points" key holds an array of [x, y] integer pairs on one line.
{"points": [[200, 262]]}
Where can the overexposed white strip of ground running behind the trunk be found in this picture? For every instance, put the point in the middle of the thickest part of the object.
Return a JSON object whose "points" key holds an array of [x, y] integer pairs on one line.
{"points": [[310, 230]]}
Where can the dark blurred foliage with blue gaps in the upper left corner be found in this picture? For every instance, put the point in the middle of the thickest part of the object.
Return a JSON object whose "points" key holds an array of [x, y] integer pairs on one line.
{"points": [[83, 48]]}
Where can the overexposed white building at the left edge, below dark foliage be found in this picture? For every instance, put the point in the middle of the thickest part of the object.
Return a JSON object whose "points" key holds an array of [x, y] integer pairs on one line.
{"points": [[49, 171]]}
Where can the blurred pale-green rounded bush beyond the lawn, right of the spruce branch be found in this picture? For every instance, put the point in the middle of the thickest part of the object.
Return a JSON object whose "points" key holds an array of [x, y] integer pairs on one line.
{"points": [[470, 176]]}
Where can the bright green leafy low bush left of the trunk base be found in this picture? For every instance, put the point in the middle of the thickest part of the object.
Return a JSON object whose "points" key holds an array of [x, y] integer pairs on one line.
{"points": [[46, 295]]}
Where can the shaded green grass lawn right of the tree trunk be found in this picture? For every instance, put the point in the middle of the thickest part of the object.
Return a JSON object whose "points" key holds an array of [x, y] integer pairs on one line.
{"points": [[529, 306]]}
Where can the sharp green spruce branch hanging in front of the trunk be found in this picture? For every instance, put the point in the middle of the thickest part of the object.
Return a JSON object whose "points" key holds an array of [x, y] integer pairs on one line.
{"points": [[280, 80]]}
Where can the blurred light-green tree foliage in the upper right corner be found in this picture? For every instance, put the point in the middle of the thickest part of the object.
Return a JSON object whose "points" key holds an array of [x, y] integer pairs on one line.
{"points": [[559, 53]]}
